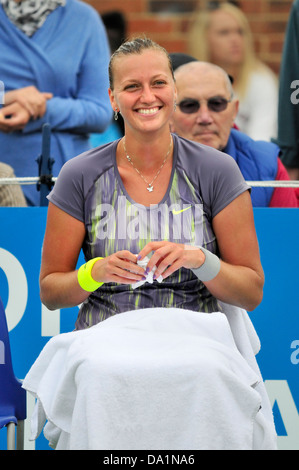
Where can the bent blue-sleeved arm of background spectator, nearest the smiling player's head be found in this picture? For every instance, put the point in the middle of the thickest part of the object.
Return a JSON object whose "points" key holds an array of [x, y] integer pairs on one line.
{"points": [[84, 105]]}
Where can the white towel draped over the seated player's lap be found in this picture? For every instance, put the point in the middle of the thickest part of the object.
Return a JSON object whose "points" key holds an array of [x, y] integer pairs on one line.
{"points": [[148, 379]]}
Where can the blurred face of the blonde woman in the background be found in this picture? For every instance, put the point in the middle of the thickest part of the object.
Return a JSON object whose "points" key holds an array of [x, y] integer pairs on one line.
{"points": [[226, 40]]}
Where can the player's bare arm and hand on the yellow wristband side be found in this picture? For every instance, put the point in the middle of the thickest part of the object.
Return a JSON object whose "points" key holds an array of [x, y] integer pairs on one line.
{"points": [[59, 287]]}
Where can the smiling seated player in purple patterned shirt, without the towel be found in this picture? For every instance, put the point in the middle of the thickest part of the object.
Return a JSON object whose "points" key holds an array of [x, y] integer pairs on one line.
{"points": [[152, 195]]}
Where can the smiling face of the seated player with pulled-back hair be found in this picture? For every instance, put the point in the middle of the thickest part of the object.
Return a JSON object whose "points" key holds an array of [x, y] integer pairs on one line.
{"points": [[144, 90]]}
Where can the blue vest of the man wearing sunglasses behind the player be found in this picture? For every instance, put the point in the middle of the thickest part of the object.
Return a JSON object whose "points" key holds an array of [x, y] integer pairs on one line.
{"points": [[257, 161]]}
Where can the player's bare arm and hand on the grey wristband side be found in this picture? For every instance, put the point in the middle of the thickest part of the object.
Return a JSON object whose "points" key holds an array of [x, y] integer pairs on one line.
{"points": [[240, 280]]}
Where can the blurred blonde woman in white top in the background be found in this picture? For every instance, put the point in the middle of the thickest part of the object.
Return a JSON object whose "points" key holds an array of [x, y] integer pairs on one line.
{"points": [[221, 35]]}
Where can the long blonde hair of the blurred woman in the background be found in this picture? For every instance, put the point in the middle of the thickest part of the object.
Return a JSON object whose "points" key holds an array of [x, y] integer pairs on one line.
{"points": [[198, 45]]}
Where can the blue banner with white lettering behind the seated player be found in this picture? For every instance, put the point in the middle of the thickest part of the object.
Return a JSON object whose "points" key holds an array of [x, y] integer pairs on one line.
{"points": [[276, 319]]}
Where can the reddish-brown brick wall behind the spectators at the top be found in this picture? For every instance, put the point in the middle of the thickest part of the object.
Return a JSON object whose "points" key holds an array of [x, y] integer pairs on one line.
{"points": [[166, 21]]}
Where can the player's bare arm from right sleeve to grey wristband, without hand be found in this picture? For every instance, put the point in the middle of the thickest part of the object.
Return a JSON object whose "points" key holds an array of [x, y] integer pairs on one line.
{"points": [[241, 278]]}
